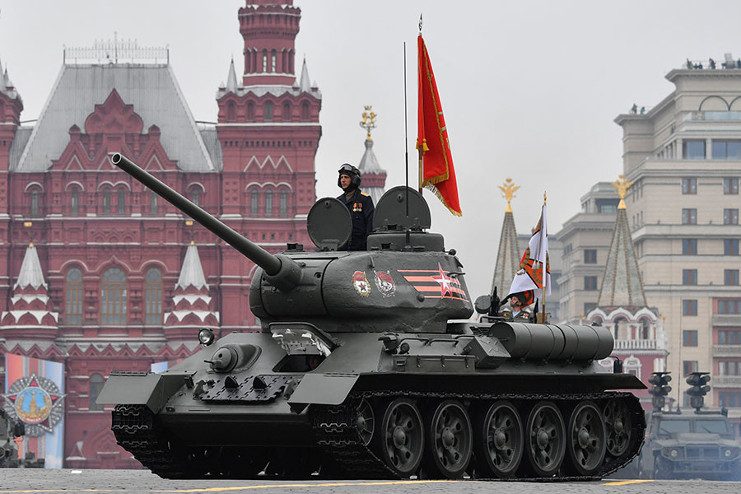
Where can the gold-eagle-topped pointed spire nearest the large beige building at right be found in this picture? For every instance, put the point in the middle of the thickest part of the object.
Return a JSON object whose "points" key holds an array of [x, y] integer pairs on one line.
{"points": [[621, 285]]}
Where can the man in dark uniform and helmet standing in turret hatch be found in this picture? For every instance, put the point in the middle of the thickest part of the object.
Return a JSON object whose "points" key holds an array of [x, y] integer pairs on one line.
{"points": [[358, 203]]}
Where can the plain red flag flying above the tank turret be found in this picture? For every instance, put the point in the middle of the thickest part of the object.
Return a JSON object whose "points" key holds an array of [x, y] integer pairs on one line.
{"points": [[435, 161]]}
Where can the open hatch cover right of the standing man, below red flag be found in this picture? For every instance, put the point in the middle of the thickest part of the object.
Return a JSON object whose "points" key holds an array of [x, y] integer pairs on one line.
{"points": [[391, 211]]}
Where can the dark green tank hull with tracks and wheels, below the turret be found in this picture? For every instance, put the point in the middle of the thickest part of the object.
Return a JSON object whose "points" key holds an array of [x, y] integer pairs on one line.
{"points": [[347, 417]]}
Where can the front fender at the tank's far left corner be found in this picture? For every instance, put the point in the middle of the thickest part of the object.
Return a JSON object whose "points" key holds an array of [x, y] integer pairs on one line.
{"points": [[141, 388]]}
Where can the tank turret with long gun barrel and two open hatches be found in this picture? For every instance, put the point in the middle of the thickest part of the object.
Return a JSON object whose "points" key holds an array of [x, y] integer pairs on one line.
{"points": [[405, 280]]}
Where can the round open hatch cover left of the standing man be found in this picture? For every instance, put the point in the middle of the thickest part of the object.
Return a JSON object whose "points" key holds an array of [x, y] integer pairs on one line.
{"points": [[329, 224]]}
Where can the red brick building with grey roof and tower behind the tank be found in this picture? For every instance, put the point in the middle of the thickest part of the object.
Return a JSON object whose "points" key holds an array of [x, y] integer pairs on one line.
{"points": [[96, 271]]}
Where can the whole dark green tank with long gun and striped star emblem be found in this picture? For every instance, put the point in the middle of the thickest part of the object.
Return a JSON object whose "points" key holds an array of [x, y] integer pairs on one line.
{"points": [[362, 371]]}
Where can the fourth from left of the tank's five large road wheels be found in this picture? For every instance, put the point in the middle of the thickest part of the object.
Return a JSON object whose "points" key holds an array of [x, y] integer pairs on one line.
{"points": [[546, 439]]}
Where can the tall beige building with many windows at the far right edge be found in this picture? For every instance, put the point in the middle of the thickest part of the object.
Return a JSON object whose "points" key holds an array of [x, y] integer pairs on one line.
{"points": [[684, 159]]}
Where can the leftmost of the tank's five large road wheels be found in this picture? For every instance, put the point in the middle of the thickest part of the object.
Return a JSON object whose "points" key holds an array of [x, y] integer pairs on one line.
{"points": [[402, 437]]}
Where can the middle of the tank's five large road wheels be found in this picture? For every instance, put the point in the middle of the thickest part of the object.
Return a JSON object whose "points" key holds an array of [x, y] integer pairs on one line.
{"points": [[500, 442]]}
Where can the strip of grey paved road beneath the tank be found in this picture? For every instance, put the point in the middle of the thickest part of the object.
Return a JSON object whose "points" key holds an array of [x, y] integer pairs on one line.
{"points": [[30, 481]]}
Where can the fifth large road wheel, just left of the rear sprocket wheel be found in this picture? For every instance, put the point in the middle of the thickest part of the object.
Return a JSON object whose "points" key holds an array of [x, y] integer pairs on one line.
{"points": [[587, 438]]}
